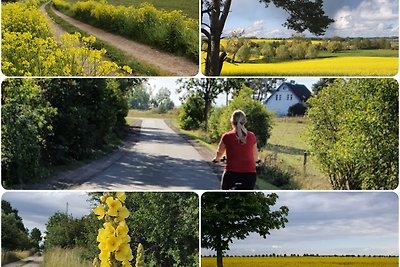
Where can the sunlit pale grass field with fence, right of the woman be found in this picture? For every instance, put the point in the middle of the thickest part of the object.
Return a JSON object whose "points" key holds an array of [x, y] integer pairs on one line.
{"points": [[287, 143]]}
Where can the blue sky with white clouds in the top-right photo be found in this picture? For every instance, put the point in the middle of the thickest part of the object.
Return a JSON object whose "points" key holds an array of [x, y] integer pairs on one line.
{"points": [[353, 18]]}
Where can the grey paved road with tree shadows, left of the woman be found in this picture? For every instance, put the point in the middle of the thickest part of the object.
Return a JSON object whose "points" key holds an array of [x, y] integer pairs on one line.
{"points": [[161, 159]]}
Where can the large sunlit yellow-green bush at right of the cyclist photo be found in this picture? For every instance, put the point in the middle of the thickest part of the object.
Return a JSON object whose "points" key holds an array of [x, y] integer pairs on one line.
{"points": [[354, 133]]}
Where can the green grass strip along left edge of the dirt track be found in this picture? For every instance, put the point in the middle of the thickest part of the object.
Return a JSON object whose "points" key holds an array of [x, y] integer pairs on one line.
{"points": [[114, 54]]}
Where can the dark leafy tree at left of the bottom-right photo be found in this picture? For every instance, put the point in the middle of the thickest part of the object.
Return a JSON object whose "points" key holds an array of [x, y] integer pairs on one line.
{"points": [[226, 216]]}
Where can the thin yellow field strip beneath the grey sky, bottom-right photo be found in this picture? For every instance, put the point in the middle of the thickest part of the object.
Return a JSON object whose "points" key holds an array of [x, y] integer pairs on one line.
{"points": [[303, 262]]}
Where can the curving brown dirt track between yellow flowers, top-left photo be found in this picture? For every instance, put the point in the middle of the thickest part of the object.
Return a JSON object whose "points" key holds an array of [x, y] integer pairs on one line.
{"points": [[179, 66]]}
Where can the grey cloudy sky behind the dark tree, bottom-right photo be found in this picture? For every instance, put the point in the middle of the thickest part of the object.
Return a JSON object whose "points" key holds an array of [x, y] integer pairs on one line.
{"points": [[330, 223]]}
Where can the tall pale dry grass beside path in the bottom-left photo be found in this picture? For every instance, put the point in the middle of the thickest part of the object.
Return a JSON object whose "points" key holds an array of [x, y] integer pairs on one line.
{"points": [[65, 258]]}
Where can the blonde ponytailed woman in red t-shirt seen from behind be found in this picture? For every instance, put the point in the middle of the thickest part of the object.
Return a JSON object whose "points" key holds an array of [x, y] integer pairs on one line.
{"points": [[240, 146]]}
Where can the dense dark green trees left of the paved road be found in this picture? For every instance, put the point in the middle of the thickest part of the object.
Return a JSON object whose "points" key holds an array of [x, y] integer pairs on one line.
{"points": [[48, 122]]}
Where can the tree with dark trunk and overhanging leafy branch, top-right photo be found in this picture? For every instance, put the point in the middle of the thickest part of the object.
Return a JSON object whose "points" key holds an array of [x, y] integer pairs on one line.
{"points": [[303, 15]]}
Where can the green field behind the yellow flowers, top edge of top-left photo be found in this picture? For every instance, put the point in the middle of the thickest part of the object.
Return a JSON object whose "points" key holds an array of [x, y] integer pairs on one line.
{"points": [[189, 7]]}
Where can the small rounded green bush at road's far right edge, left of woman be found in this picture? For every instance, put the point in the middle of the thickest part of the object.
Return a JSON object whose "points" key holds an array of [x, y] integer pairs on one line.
{"points": [[191, 113]]}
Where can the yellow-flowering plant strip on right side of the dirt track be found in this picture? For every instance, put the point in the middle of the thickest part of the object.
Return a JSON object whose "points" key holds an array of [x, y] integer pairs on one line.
{"points": [[169, 31]]}
